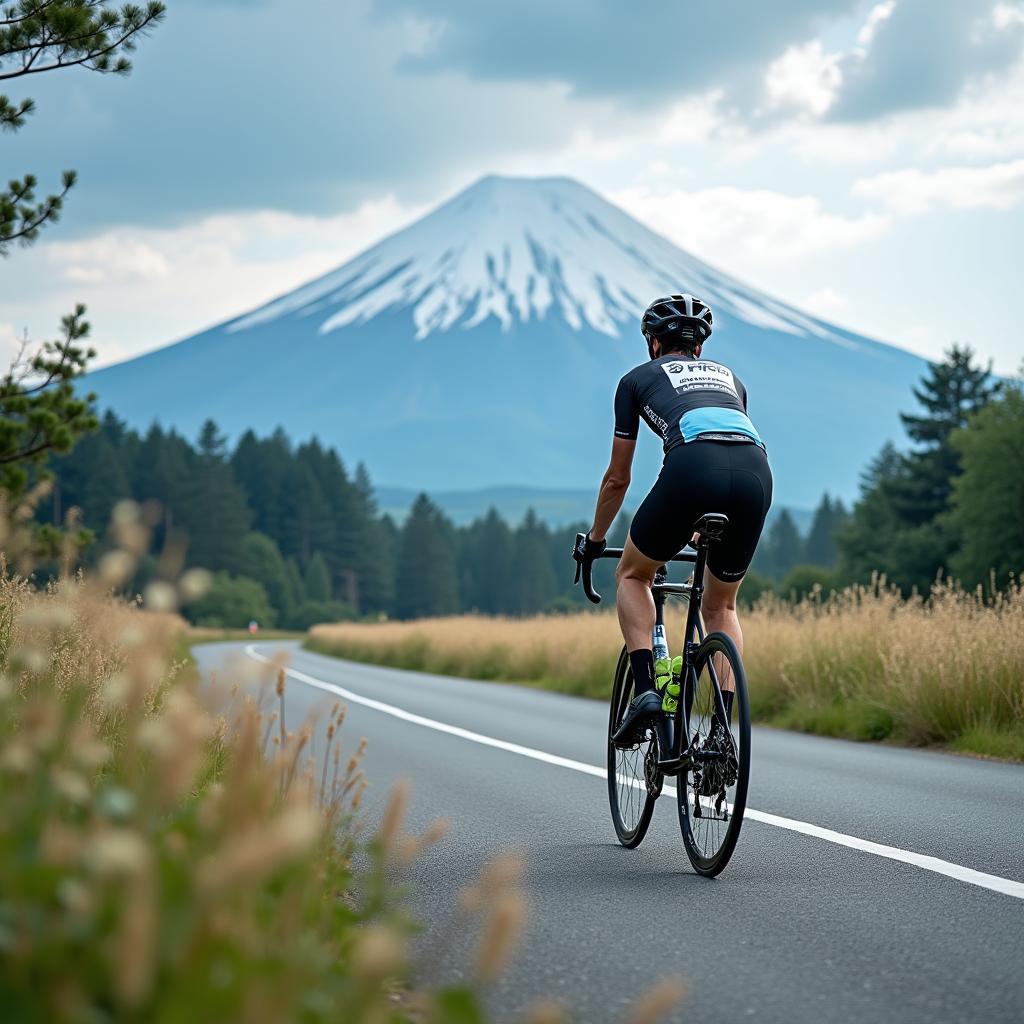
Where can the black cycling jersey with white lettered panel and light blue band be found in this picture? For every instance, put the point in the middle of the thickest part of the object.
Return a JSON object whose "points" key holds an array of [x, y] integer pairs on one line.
{"points": [[685, 400]]}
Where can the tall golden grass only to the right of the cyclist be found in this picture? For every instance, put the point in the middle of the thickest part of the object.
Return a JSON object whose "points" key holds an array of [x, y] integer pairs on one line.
{"points": [[868, 664]]}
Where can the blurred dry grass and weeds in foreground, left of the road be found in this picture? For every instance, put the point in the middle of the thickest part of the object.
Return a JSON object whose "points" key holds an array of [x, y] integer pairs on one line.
{"points": [[169, 858]]}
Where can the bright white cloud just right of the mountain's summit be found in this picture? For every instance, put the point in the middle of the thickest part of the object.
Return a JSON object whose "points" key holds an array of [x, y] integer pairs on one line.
{"points": [[749, 232]]}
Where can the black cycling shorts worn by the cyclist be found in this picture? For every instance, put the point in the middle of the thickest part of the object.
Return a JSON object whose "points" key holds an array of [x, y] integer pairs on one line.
{"points": [[707, 477]]}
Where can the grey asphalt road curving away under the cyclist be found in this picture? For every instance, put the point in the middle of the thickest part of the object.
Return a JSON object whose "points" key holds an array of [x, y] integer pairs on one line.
{"points": [[809, 923]]}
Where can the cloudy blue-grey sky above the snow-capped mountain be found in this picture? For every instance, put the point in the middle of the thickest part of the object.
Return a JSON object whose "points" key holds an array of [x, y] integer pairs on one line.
{"points": [[864, 161]]}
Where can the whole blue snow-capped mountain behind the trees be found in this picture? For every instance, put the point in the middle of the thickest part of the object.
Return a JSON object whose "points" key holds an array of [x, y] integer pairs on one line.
{"points": [[482, 346]]}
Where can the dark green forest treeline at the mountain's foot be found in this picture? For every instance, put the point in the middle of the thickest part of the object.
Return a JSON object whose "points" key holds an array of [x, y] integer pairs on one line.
{"points": [[293, 537]]}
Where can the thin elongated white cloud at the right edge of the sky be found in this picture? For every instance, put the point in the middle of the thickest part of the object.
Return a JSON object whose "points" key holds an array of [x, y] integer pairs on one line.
{"points": [[911, 191]]}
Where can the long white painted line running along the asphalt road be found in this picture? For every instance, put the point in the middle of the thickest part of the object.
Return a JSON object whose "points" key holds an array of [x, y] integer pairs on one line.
{"points": [[995, 883]]}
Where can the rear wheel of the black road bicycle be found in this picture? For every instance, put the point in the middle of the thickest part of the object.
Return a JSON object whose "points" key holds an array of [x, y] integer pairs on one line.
{"points": [[712, 793]]}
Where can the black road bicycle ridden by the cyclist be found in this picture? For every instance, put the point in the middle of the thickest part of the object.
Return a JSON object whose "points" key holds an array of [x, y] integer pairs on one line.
{"points": [[706, 750]]}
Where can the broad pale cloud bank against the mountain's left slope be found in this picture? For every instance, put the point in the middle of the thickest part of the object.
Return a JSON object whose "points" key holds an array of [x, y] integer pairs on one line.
{"points": [[148, 287]]}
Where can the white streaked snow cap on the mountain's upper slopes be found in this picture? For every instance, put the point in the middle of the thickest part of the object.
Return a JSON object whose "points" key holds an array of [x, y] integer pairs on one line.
{"points": [[519, 250]]}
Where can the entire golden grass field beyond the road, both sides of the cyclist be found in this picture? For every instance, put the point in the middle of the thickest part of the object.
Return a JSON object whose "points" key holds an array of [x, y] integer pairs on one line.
{"points": [[864, 664]]}
